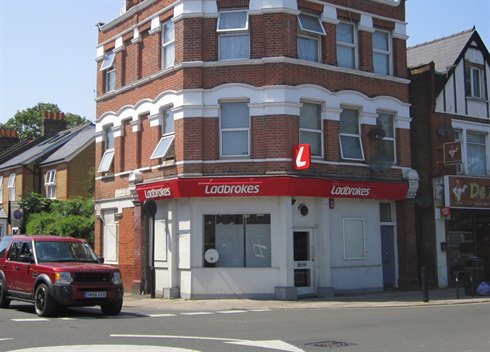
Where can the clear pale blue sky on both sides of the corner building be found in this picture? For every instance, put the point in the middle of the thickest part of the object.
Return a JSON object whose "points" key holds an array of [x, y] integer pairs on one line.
{"points": [[47, 47]]}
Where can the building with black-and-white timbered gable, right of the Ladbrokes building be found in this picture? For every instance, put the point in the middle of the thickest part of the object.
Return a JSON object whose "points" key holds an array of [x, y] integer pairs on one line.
{"points": [[451, 139]]}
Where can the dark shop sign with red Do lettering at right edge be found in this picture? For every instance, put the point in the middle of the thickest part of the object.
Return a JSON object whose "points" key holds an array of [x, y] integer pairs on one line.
{"points": [[467, 192]]}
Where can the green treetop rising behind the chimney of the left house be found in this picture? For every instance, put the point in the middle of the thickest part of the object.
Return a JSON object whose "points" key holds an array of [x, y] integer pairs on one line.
{"points": [[28, 122]]}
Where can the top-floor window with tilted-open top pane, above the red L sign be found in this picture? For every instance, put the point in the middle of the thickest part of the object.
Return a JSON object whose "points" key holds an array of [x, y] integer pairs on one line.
{"points": [[309, 34]]}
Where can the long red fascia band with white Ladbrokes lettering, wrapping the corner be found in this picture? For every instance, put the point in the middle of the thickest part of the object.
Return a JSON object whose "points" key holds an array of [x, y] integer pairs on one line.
{"points": [[270, 186]]}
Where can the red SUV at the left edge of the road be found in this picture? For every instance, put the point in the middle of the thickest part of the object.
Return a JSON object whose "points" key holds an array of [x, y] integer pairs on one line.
{"points": [[52, 271]]}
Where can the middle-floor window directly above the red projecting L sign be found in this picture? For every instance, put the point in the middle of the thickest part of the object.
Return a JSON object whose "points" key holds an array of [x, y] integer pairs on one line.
{"points": [[310, 127]]}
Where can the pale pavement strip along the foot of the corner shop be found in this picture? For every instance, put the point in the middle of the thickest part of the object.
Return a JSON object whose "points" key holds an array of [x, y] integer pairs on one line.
{"points": [[394, 298]]}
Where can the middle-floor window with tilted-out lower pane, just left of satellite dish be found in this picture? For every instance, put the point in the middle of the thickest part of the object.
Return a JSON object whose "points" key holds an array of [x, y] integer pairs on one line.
{"points": [[350, 138]]}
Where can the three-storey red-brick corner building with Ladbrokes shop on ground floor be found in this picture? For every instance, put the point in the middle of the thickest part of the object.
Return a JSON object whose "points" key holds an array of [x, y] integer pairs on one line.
{"points": [[200, 105]]}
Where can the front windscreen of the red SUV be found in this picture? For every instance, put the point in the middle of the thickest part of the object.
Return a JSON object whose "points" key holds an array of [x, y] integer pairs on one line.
{"points": [[64, 251]]}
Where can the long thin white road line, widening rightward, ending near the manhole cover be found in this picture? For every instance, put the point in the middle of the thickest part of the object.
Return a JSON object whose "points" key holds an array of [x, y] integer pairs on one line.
{"points": [[270, 344]]}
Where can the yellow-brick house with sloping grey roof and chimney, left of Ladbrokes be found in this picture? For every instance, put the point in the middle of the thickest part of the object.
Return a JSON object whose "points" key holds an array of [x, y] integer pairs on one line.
{"points": [[58, 165]]}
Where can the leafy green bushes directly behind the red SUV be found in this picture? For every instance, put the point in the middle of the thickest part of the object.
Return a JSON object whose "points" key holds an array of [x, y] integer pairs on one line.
{"points": [[73, 217]]}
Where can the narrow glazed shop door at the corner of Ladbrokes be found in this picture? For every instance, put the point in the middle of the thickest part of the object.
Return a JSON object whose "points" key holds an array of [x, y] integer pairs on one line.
{"points": [[303, 262]]}
